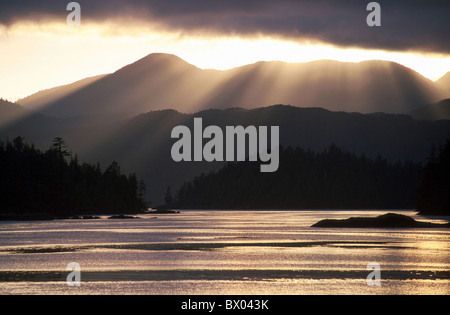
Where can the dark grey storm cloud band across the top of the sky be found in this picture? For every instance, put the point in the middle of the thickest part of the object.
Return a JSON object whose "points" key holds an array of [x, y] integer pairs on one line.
{"points": [[422, 25]]}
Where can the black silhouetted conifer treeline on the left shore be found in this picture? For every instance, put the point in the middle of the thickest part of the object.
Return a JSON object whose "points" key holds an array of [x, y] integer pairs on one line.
{"points": [[57, 184]]}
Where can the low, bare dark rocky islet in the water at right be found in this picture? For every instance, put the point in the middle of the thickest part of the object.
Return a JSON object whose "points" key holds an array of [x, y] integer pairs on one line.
{"points": [[390, 220]]}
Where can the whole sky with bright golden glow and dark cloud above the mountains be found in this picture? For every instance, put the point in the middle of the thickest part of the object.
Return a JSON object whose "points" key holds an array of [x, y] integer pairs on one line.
{"points": [[39, 50]]}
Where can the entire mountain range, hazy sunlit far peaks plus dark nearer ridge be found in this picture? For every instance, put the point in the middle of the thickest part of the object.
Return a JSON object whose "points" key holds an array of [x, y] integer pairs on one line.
{"points": [[365, 108]]}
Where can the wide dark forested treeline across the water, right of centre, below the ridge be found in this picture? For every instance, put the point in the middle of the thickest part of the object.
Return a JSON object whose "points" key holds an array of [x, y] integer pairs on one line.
{"points": [[333, 179]]}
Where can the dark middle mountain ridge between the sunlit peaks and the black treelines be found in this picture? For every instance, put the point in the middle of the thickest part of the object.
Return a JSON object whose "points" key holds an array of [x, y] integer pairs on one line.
{"points": [[142, 144]]}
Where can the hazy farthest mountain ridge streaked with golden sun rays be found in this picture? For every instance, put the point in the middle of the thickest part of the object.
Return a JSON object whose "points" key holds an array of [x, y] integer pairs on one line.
{"points": [[162, 81]]}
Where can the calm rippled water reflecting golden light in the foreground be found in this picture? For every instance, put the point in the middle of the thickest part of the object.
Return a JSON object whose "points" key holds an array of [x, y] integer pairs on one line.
{"points": [[222, 252]]}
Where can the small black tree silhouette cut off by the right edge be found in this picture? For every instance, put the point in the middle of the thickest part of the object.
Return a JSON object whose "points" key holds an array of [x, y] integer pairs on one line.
{"points": [[434, 191]]}
